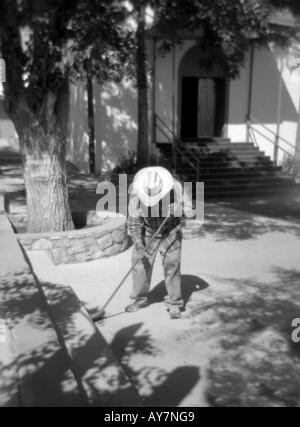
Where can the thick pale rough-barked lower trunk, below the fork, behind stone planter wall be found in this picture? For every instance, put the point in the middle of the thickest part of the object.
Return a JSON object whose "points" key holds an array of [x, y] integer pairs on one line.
{"points": [[43, 143]]}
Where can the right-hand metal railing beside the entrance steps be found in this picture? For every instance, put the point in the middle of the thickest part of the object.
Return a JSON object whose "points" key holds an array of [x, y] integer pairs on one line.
{"points": [[274, 138]]}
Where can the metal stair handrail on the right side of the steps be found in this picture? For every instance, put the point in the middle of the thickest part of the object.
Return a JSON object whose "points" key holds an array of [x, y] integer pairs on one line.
{"points": [[277, 146]]}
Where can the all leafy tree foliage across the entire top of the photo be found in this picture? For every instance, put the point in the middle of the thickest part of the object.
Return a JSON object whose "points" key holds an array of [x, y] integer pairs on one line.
{"points": [[45, 42]]}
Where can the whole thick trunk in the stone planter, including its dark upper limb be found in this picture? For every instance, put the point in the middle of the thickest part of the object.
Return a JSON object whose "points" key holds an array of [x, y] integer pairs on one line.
{"points": [[40, 117]]}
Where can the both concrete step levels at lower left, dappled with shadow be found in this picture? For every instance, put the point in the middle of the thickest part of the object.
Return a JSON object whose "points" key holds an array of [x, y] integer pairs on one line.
{"points": [[51, 354]]}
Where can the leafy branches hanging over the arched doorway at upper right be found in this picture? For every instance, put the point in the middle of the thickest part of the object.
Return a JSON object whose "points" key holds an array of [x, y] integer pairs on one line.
{"points": [[230, 27]]}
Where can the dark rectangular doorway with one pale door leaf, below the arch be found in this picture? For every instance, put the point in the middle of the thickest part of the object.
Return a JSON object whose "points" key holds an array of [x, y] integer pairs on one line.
{"points": [[202, 107]]}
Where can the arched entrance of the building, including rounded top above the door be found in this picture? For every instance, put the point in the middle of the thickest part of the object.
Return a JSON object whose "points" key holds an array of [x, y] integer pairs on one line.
{"points": [[202, 95]]}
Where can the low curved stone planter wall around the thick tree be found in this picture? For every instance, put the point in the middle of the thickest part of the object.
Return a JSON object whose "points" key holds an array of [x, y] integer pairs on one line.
{"points": [[80, 245]]}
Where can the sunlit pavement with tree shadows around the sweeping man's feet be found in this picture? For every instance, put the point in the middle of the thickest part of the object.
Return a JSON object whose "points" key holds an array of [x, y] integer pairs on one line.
{"points": [[241, 280]]}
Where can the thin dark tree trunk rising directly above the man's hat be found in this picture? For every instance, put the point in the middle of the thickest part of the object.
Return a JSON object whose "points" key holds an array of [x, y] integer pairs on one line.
{"points": [[142, 85]]}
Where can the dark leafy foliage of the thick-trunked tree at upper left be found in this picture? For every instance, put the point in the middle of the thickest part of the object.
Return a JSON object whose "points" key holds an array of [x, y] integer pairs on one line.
{"points": [[48, 42]]}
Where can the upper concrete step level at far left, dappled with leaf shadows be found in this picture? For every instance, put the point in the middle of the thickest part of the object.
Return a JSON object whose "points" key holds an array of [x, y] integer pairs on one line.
{"points": [[34, 369]]}
